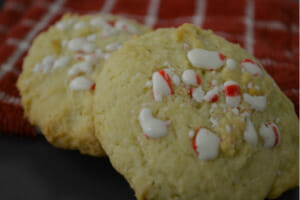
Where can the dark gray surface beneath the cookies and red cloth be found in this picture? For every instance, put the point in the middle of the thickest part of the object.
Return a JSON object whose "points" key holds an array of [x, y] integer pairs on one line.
{"points": [[32, 169]]}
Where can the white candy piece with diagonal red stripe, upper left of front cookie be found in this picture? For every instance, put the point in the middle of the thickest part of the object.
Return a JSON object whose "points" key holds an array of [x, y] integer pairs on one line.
{"points": [[162, 85]]}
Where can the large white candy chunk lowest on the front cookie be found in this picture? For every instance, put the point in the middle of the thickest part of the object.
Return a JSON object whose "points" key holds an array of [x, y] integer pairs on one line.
{"points": [[206, 144]]}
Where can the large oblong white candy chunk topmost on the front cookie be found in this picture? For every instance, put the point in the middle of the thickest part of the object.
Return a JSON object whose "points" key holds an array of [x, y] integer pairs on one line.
{"points": [[204, 59]]}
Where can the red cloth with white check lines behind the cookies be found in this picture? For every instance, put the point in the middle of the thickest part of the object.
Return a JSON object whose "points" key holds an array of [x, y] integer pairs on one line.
{"points": [[269, 29]]}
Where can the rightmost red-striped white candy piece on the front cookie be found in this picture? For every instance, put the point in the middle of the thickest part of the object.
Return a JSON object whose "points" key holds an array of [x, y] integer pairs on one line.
{"points": [[270, 134]]}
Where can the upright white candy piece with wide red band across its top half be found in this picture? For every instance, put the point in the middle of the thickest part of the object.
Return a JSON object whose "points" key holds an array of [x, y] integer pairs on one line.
{"points": [[232, 93]]}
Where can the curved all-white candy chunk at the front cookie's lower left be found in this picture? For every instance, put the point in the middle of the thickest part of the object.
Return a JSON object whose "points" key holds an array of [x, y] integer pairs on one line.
{"points": [[152, 127]]}
